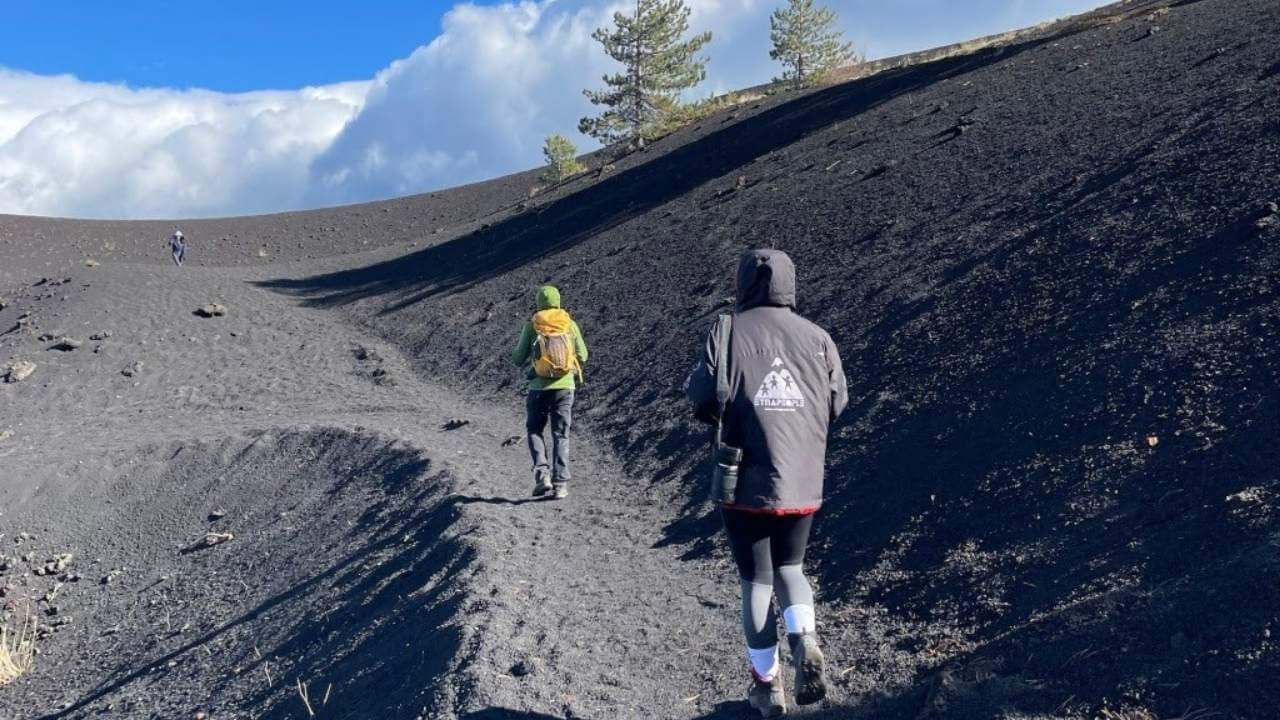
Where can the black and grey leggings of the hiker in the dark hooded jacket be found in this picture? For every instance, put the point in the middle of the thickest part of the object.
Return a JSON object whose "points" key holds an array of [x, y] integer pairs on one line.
{"points": [[770, 555]]}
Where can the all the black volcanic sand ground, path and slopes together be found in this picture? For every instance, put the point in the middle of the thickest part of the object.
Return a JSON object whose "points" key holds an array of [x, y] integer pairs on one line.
{"points": [[1052, 268]]}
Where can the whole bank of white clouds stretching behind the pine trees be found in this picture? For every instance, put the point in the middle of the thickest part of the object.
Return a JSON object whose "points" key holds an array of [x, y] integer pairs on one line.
{"points": [[474, 103]]}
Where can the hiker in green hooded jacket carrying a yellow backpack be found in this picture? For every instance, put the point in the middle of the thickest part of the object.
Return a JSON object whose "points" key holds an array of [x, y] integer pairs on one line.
{"points": [[552, 349]]}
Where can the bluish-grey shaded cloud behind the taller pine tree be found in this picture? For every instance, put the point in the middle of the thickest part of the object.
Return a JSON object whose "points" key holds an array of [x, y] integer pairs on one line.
{"points": [[481, 99]]}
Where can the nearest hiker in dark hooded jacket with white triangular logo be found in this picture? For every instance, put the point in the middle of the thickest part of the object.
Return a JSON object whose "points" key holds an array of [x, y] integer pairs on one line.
{"points": [[785, 389]]}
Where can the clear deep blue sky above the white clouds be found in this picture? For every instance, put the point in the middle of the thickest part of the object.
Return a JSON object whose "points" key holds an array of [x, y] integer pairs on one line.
{"points": [[230, 45]]}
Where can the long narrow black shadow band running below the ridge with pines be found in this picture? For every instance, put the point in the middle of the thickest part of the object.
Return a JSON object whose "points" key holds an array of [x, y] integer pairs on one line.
{"points": [[495, 250]]}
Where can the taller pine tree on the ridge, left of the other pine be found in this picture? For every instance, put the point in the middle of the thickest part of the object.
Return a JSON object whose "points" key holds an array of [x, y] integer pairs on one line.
{"points": [[659, 63]]}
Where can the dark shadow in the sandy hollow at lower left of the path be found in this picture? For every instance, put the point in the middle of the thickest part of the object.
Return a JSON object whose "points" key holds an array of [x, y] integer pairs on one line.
{"points": [[374, 626]]}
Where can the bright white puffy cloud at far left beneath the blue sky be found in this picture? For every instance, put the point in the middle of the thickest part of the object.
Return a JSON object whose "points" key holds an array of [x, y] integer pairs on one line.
{"points": [[72, 148]]}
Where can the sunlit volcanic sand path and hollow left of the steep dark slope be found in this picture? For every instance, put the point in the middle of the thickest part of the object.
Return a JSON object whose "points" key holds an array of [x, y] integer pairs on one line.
{"points": [[378, 546]]}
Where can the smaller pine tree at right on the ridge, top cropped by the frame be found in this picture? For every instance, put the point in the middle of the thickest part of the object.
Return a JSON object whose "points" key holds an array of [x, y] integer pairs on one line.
{"points": [[807, 43]]}
